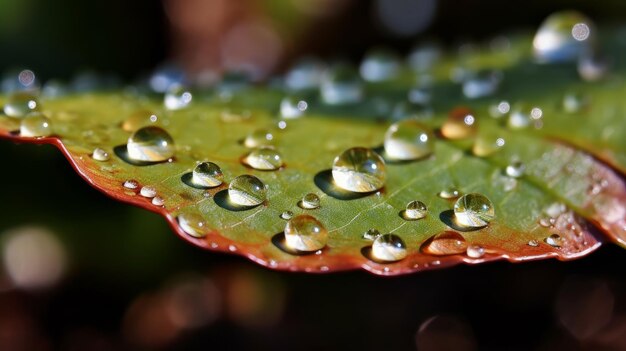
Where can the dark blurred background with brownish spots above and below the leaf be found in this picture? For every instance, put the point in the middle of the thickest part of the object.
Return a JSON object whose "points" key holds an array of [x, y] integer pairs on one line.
{"points": [[82, 272]]}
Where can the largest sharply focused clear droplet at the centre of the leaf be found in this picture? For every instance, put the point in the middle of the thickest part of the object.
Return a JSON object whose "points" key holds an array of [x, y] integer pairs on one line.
{"points": [[359, 170]]}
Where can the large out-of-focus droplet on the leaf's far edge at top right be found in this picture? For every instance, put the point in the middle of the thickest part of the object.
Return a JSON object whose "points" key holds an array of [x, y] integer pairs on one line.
{"points": [[563, 36]]}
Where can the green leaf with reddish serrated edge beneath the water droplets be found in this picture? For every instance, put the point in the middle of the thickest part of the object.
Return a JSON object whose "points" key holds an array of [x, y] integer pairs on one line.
{"points": [[573, 188]]}
